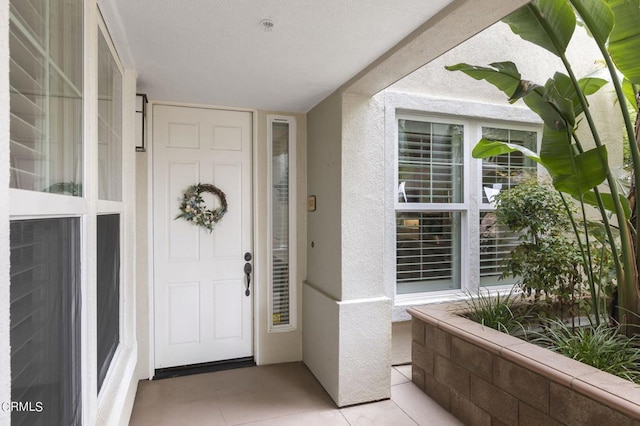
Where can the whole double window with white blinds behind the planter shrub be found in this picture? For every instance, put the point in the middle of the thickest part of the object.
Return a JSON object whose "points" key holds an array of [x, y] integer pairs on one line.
{"points": [[435, 217]]}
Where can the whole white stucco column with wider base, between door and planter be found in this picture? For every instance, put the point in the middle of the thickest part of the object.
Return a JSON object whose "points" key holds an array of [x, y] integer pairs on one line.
{"points": [[347, 315]]}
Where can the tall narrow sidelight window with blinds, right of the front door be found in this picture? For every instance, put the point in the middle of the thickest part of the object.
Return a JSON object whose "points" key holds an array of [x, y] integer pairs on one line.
{"points": [[282, 230]]}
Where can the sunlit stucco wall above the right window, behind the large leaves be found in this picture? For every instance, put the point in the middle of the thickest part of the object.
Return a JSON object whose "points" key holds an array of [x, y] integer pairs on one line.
{"points": [[496, 44]]}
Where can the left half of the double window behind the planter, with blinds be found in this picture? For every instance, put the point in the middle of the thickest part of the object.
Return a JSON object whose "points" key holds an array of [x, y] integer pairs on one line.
{"points": [[430, 178]]}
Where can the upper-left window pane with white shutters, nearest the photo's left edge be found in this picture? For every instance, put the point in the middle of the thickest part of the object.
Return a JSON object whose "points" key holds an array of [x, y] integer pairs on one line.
{"points": [[46, 95]]}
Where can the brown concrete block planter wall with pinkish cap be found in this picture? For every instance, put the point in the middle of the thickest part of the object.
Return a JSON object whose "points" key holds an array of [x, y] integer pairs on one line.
{"points": [[485, 377]]}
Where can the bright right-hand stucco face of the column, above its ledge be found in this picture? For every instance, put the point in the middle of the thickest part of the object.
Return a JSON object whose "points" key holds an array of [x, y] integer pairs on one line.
{"points": [[363, 197]]}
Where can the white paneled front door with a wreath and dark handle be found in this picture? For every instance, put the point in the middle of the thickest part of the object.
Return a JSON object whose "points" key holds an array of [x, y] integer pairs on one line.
{"points": [[201, 308]]}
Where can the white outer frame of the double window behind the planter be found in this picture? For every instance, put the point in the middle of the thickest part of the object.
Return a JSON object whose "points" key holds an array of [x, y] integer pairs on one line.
{"points": [[476, 115]]}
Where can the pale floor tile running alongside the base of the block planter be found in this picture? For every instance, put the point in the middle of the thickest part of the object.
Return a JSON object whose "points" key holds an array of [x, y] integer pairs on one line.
{"points": [[422, 409]]}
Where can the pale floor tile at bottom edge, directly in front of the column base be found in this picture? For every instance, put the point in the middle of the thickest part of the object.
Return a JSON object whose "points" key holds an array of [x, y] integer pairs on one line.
{"points": [[383, 413]]}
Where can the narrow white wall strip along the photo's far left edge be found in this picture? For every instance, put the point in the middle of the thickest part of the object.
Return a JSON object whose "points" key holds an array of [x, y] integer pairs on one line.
{"points": [[5, 355]]}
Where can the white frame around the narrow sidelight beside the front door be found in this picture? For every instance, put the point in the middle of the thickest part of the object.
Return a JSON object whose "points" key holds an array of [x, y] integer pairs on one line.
{"points": [[293, 320]]}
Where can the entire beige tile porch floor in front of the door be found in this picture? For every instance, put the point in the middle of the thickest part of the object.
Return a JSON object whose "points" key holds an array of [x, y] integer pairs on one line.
{"points": [[283, 395]]}
